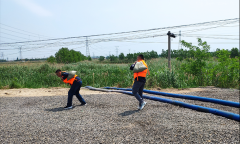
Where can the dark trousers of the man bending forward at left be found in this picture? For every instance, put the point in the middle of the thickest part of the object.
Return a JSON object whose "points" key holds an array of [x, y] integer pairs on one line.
{"points": [[74, 90]]}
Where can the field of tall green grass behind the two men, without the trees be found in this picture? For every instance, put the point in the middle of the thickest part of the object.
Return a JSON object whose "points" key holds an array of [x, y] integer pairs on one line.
{"points": [[36, 75]]}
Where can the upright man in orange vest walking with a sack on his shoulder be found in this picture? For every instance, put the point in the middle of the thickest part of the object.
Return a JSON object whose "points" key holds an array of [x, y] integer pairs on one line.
{"points": [[139, 82]]}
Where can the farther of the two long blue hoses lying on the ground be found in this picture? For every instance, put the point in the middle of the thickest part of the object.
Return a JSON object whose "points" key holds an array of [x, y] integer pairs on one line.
{"points": [[205, 99]]}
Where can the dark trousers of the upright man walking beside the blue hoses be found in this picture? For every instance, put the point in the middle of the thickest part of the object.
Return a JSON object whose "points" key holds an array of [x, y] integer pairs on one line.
{"points": [[137, 90]]}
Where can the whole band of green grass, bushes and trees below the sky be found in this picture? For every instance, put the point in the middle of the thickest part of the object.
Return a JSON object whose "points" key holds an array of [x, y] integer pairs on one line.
{"points": [[193, 68]]}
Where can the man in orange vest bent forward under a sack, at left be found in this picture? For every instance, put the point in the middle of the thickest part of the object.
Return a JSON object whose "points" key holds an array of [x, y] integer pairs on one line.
{"points": [[75, 83]]}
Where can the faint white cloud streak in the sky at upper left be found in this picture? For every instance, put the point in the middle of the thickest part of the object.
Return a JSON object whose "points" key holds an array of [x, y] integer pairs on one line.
{"points": [[34, 7]]}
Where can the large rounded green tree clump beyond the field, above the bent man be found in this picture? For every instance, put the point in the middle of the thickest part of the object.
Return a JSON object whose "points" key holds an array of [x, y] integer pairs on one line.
{"points": [[64, 55]]}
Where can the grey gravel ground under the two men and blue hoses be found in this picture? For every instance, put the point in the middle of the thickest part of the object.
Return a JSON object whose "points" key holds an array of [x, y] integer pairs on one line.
{"points": [[113, 118]]}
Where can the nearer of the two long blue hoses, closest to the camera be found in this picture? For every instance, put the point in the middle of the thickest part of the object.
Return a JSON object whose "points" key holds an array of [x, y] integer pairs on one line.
{"points": [[229, 115]]}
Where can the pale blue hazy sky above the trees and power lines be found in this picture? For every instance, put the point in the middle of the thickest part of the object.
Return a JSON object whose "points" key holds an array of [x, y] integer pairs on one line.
{"points": [[24, 20]]}
